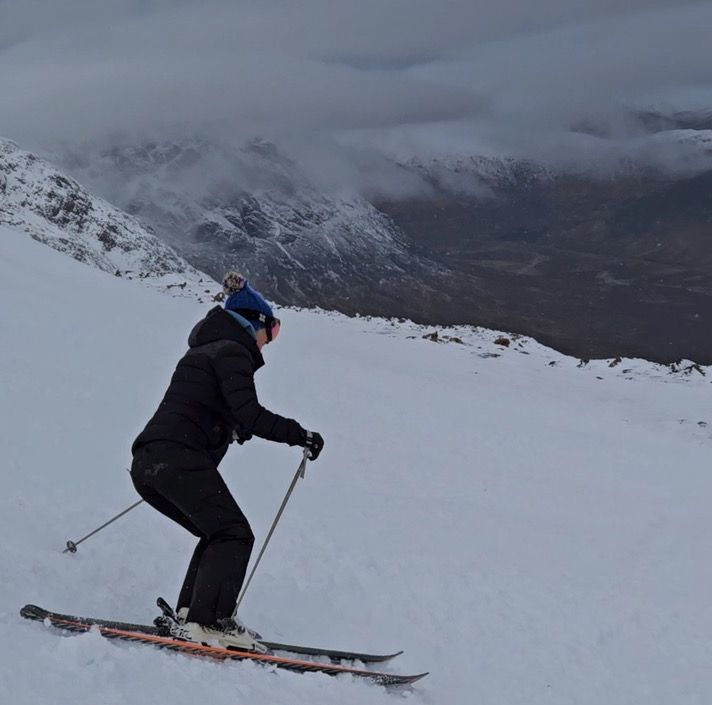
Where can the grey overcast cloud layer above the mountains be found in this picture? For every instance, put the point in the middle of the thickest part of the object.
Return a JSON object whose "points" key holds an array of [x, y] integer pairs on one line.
{"points": [[404, 75]]}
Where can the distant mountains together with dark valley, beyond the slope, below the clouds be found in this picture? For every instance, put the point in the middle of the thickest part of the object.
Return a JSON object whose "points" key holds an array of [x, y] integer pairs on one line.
{"points": [[605, 253]]}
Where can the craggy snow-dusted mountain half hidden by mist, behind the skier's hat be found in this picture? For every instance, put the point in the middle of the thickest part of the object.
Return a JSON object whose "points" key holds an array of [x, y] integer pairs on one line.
{"points": [[218, 205]]}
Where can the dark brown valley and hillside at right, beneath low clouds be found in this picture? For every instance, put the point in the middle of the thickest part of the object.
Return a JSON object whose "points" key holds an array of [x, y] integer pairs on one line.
{"points": [[605, 261]]}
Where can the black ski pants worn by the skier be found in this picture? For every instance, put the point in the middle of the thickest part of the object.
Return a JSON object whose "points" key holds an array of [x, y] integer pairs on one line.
{"points": [[186, 486]]}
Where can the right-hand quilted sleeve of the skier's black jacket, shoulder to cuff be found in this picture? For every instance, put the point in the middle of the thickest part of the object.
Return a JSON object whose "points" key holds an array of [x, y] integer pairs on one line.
{"points": [[233, 367]]}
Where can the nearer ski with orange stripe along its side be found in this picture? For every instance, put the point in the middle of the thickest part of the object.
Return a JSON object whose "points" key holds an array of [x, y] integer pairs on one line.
{"points": [[154, 636]]}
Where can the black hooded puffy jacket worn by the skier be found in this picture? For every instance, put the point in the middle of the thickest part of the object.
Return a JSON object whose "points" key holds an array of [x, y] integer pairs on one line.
{"points": [[212, 392]]}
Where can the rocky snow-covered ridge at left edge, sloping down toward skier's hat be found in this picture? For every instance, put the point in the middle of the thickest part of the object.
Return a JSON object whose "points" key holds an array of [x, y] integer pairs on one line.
{"points": [[56, 210]]}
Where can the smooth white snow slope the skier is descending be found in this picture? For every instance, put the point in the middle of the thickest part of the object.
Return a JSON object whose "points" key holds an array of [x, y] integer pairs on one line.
{"points": [[528, 532]]}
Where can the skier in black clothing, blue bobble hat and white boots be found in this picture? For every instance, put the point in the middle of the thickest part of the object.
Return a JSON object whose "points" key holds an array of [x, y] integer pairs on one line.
{"points": [[210, 402]]}
